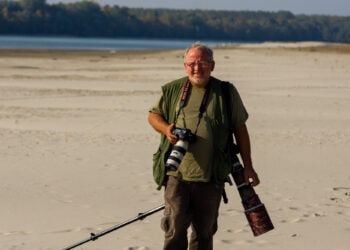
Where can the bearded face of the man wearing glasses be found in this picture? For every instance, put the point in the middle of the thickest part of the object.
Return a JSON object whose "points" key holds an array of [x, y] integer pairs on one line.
{"points": [[198, 67]]}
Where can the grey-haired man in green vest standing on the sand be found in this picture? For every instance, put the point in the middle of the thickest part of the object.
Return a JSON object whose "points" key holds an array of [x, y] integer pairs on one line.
{"points": [[193, 190]]}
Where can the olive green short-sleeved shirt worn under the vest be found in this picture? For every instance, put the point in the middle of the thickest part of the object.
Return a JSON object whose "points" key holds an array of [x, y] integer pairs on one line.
{"points": [[197, 162]]}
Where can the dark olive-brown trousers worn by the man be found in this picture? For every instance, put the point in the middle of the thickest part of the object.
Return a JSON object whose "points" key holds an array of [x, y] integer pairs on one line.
{"points": [[194, 204]]}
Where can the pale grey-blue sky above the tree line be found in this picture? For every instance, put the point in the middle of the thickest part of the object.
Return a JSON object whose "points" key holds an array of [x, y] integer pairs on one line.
{"points": [[321, 7]]}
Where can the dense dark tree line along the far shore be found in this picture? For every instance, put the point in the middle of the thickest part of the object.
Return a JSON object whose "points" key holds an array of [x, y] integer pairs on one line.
{"points": [[89, 19]]}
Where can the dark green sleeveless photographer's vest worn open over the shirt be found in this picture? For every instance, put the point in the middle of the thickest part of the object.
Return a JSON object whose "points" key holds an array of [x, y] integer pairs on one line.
{"points": [[221, 165]]}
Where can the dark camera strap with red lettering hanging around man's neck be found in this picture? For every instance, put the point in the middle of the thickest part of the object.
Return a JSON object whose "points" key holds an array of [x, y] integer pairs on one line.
{"points": [[184, 98]]}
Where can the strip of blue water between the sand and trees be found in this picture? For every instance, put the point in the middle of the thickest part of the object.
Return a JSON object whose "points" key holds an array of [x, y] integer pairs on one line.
{"points": [[29, 42]]}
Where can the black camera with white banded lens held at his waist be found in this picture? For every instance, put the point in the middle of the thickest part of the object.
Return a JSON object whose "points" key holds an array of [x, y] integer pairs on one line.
{"points": [[178, 151]]}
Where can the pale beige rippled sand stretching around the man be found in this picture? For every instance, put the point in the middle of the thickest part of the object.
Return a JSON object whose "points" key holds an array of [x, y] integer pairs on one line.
{"points": [[76, 147]]}
